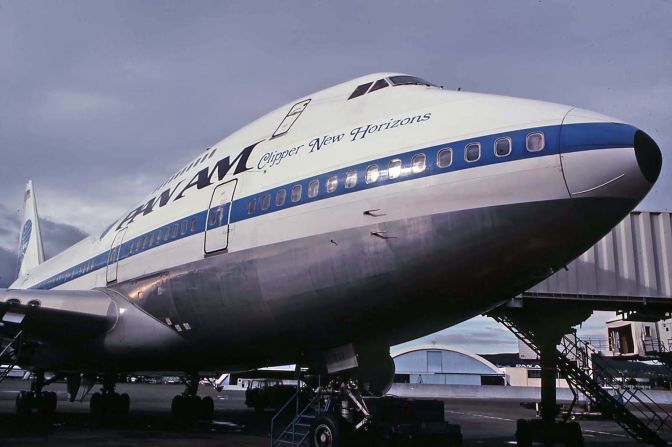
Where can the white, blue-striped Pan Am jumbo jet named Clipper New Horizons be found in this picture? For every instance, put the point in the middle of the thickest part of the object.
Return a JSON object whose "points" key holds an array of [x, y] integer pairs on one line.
{"points": [[350, 220]]}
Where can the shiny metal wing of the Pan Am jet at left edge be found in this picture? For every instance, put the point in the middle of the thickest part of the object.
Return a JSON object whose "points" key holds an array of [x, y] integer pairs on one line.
{"points": [[52, 315]]}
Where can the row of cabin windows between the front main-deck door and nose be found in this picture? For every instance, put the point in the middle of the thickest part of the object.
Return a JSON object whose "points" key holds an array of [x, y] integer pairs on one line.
{"points": [[444, 158]]}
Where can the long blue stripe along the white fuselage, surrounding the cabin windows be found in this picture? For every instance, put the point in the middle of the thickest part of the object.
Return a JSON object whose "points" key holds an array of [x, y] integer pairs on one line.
{"points": [[571, 138]]}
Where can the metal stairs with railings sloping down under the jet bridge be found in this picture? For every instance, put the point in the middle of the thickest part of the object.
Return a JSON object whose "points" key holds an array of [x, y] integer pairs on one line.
{"points": [[632, 409]]}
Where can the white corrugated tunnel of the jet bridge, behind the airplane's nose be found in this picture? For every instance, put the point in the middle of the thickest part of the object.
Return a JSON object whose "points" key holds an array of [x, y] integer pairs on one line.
{"points": [[629, 271]]}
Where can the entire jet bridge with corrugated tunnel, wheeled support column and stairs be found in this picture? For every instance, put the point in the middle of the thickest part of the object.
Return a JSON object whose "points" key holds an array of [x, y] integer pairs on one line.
{"points": [[628, 271]]}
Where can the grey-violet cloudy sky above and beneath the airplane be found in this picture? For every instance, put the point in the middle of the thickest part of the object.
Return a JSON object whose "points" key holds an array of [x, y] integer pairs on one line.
{"points": [[100, 101]]}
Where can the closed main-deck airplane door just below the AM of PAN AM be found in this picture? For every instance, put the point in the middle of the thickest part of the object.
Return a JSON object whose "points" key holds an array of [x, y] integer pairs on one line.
{"points": [[219, 213]]}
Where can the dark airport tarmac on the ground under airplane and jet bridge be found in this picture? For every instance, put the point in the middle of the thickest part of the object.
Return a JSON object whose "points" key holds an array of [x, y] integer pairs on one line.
{"points": [[484, 422]]}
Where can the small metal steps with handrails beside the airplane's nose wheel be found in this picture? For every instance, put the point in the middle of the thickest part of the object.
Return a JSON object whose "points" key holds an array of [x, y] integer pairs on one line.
{"points": [[290, 427]]}
